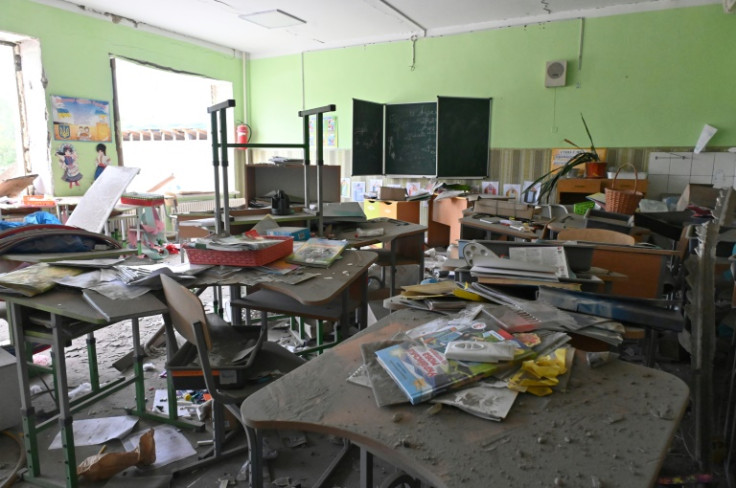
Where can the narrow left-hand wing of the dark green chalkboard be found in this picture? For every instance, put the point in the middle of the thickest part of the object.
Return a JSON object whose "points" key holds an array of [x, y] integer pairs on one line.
{"points": [[367, 138]]}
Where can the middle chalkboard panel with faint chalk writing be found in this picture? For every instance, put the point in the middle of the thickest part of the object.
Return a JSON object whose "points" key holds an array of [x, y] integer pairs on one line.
{"points": [[411, 139]]}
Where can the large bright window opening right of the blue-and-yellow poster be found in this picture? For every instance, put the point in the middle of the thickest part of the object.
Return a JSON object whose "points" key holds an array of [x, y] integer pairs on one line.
{"points": [[164, 126]]}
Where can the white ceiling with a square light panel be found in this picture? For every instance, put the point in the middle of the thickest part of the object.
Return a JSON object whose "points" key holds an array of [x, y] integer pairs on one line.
{"points": [[339, 23]]}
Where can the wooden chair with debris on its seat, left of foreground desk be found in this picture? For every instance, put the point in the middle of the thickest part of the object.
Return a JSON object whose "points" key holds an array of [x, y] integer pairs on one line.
{"points": [[219, 346]]}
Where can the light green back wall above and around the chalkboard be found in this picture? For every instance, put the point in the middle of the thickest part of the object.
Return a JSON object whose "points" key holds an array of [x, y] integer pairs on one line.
{"points": [[648, 79]]}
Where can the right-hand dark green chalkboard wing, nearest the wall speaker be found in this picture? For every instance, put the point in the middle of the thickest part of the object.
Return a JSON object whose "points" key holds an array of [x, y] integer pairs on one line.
{"points": [[463, 137]]}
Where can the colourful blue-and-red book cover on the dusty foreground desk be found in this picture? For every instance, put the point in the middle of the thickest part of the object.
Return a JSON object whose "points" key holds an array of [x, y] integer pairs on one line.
{"points": [[422, 371]]}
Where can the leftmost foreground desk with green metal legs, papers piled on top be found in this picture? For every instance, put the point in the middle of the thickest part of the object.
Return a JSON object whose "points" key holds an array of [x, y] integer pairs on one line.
{"points": [[55, 318]]}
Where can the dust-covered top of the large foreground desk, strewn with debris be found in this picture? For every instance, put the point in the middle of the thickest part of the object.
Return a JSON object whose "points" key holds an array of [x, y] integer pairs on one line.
{"points": [[614, 424]]}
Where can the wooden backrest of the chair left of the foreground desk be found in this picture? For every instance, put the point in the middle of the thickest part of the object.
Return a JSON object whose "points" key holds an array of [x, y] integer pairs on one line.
{"points": [[185, 309]]}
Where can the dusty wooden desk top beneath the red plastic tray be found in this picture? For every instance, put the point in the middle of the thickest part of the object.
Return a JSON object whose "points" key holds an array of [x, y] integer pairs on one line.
{"points": [[319, 290]]}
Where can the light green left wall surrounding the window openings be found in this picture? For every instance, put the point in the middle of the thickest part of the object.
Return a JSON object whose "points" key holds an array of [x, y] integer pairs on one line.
{"points": [[76, 53]]}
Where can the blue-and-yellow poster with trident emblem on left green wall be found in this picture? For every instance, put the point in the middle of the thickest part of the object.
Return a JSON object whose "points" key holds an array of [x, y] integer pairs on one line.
{"points": [[80, 119]]}
